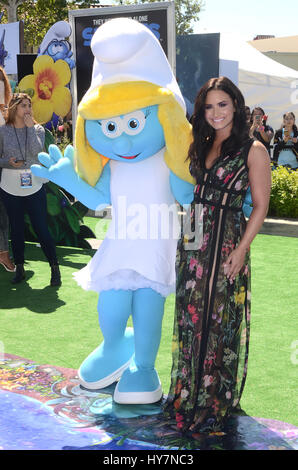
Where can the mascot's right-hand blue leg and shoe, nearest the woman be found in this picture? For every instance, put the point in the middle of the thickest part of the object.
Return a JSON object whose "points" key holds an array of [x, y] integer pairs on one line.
{"points": [[140, 383]]}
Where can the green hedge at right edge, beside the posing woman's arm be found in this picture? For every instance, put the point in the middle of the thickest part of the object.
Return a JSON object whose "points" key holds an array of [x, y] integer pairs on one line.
{"points": [[284, 193]]}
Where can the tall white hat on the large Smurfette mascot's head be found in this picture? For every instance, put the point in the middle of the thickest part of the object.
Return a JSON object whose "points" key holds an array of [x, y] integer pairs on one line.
{"points": [[126, 50]]}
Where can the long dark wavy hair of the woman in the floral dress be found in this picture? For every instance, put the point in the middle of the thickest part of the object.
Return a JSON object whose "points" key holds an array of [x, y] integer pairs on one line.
{"points": [[204, 134]]}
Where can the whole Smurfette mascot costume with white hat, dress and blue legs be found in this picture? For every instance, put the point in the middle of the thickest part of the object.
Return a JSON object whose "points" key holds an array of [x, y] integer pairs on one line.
{"points": [[131, 145]]}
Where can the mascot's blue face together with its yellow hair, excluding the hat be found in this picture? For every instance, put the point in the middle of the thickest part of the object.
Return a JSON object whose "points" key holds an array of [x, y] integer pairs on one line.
{"points": [[105, 127]]}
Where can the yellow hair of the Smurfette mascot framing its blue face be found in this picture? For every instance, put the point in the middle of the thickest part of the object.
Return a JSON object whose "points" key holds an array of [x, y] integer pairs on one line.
{"points": [[121, 98]]}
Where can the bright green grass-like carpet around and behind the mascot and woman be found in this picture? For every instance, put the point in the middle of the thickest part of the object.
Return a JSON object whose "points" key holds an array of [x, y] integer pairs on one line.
{"points": [[59, 326]]}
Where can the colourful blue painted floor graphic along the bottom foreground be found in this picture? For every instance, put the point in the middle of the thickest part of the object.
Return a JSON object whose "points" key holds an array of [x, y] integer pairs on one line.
{"points": [[43, 407]]}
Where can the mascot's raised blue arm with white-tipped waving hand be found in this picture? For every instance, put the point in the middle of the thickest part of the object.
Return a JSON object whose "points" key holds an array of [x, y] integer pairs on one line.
{"points": [[60, 169]]}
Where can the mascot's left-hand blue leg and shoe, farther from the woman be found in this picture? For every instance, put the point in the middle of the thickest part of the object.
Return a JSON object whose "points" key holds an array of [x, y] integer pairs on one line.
{"points": [[107, 362]]}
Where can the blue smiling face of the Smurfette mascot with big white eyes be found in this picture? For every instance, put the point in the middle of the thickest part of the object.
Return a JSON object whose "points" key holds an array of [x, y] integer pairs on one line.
{"points": [[131, 137]]}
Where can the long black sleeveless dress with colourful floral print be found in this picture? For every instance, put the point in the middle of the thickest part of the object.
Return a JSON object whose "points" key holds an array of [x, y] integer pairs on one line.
{"points": [[212, 316]]}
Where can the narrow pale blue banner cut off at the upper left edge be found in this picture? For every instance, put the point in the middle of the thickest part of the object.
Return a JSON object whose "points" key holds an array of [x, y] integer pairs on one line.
{"points": [[9, 46]]}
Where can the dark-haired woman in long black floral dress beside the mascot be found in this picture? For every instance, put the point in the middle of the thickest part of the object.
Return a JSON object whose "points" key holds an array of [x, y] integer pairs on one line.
{"points": [[212, 316]]}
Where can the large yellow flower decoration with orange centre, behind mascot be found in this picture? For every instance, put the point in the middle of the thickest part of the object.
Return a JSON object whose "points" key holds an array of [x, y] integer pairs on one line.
{"points": [[50, 93]]}
